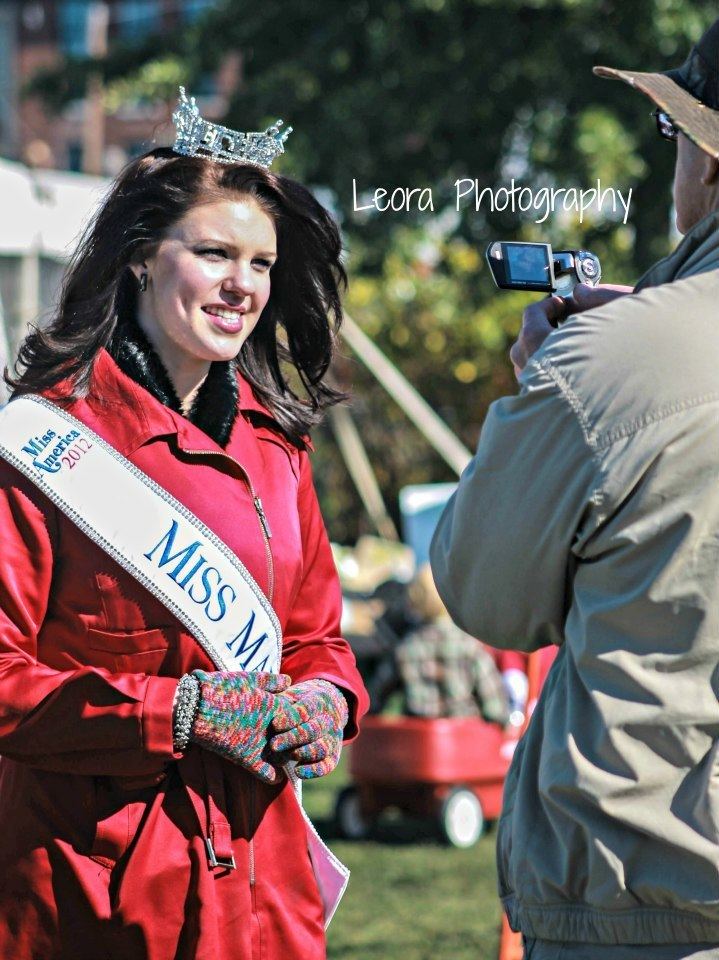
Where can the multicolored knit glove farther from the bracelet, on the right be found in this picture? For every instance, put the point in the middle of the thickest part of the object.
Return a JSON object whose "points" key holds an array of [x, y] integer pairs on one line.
{"points": [[309, 725]]}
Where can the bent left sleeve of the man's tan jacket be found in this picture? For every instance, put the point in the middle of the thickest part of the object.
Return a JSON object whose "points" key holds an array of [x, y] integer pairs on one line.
{"points": [[503, 554]]}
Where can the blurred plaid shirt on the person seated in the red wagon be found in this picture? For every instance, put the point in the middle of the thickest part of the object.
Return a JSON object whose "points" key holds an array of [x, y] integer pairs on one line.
{"points": [[445, 673]]}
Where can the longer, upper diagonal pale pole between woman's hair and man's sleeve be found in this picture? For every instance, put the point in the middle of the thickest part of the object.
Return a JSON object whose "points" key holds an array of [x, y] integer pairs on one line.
{"points": [[436, 431]]}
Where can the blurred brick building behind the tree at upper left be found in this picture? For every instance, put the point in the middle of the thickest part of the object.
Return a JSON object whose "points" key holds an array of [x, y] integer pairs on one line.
{"points": [[40, 34]]}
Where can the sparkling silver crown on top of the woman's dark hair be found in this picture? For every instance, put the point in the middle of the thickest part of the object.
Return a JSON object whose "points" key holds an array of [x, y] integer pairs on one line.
{"points": [[195, 137]]}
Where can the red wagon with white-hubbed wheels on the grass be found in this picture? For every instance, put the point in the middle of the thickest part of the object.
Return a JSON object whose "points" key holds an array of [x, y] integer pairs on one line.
{"points": [[451, 769]]}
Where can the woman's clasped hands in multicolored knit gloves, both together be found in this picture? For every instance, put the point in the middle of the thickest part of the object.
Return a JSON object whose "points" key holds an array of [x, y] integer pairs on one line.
{"points": [[261, 722]]}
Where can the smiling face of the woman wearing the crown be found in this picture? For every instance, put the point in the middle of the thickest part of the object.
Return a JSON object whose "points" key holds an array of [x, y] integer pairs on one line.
{"points": [[208, 281]]}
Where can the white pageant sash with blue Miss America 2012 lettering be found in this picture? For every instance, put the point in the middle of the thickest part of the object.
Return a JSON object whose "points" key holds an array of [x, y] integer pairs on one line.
{"points": [[166, 548]]}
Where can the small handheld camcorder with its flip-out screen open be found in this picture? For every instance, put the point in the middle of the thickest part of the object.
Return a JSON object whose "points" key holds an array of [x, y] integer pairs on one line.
{"points": [[535, 266]]}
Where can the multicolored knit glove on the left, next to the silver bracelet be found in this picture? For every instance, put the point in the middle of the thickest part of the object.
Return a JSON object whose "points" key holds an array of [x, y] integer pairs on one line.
{"points": [[234, 715]]}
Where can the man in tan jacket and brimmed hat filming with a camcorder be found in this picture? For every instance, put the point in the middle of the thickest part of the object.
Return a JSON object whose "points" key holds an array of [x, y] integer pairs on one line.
{"points": [[589, 518]]}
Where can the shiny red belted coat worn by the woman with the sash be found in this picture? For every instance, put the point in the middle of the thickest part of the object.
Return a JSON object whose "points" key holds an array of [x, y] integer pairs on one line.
{"points": [[103, 844]]}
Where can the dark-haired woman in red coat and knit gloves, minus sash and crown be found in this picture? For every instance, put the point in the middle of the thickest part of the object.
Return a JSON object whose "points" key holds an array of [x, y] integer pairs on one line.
{"points": [[193, 312]]}
